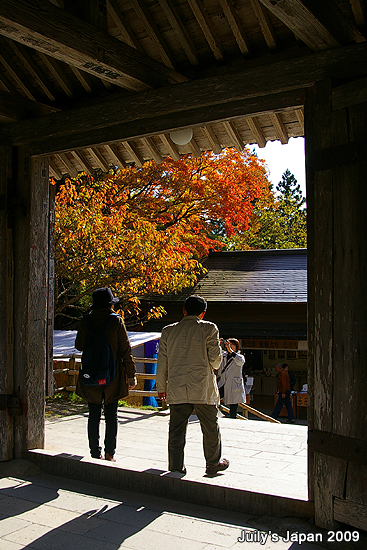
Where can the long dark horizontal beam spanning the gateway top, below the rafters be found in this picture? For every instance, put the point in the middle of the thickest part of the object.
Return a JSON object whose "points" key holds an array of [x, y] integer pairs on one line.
{"points": [[247, 92]]}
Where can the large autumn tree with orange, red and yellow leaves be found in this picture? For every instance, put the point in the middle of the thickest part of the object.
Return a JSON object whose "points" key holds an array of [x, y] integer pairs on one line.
{"points": [[145, 230]]}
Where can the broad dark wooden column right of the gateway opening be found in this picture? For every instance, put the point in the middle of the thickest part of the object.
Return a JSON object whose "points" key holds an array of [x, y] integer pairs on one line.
{"points": [[336, 167]]}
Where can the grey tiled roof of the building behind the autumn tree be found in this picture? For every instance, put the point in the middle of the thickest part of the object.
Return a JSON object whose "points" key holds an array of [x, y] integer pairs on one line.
{"points": [[252, 276]]}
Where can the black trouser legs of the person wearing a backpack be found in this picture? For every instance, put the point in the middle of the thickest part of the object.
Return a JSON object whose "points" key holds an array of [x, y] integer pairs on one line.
{"points": [[94, 419]]}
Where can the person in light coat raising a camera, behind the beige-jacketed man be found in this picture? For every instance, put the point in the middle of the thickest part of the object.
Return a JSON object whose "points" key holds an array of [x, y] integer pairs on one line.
{"points": [[230, 379]]}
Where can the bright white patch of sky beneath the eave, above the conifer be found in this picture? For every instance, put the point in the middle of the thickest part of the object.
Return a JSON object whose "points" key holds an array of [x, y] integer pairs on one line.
{"points": [[279, 157]]}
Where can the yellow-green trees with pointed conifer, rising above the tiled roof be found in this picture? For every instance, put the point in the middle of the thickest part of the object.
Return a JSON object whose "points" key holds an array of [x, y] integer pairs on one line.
{"points": [[282, 224]]}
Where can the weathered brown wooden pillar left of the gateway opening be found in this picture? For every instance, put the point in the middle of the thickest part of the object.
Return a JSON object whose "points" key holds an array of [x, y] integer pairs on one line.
{"points": [[30, 253]]}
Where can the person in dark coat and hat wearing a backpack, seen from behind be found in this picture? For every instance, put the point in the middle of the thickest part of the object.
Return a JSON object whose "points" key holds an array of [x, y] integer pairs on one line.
{"points": [[107, 371]]}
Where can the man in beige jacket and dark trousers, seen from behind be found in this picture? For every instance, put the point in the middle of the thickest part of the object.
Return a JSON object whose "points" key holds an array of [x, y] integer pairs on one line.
{"points": [[189, 352]]}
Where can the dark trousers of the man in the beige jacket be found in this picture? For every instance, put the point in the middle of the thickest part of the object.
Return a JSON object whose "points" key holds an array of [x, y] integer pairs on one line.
{"points": [[179, 417]]}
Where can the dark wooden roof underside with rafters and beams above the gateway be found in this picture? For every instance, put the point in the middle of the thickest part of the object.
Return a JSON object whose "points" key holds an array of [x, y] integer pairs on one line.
{"points": [[95, 89]]}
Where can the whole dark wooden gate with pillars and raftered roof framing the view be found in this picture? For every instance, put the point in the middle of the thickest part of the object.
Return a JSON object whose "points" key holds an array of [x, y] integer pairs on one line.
{"points": [[89, 84]]}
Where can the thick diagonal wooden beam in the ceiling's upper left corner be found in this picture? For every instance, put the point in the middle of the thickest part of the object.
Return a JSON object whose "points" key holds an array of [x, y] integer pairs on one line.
{"points": [[54, 32]]}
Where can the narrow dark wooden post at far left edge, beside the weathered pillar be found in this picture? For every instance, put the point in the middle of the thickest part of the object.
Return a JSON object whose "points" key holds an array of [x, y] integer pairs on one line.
{"points": [[6, 303]]}
